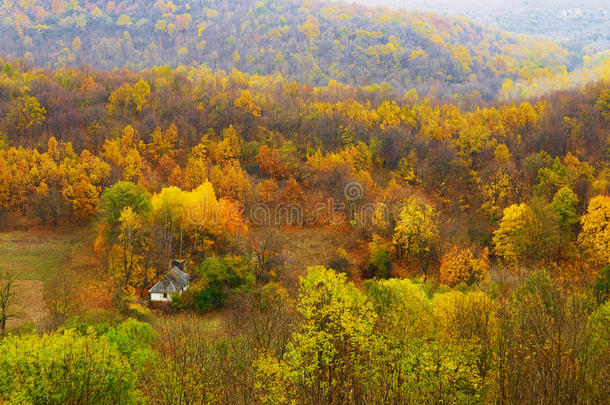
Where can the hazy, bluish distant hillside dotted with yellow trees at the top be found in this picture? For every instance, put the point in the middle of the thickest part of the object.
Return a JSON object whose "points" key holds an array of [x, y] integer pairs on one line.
{"points": [[311, 42]]}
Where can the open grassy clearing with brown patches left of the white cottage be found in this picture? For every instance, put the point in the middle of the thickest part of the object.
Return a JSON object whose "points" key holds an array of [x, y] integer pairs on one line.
{"points": [[40, 259]]}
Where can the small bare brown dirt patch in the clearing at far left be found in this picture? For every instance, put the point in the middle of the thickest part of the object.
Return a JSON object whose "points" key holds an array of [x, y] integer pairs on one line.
{"points": [[28, 306]]}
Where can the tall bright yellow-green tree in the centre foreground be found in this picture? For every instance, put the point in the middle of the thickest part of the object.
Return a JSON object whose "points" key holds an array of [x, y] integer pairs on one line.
{"points": [[330, 353]]}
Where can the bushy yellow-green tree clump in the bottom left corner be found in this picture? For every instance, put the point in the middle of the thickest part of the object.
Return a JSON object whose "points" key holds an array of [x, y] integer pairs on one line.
{"points": [[65, 368]]}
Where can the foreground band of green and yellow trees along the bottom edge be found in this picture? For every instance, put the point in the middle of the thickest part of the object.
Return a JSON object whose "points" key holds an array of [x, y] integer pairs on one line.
{"points": [[392, 342]]}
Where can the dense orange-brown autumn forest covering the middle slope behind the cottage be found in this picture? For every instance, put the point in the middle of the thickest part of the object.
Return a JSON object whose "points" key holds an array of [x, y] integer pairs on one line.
{"points": [[69, 134]]}
